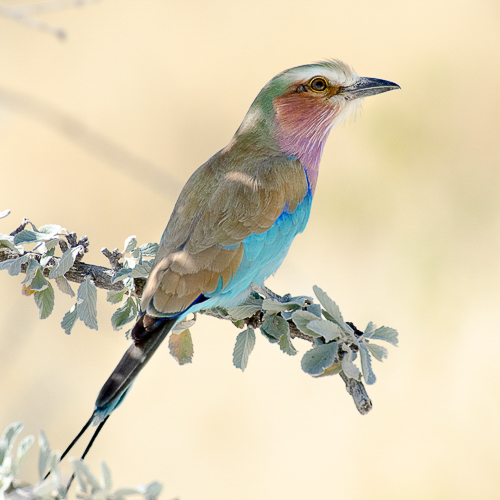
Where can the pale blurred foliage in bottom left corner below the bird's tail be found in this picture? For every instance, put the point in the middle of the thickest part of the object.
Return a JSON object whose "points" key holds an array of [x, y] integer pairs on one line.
{"points": [[52, 487]]}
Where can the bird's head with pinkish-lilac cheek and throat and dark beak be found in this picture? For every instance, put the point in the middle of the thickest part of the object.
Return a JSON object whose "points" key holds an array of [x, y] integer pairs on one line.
{"points": [[298, 108]]}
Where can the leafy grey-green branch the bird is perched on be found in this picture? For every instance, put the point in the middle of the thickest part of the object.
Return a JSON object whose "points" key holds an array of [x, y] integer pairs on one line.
{"points": [[338, 346]]}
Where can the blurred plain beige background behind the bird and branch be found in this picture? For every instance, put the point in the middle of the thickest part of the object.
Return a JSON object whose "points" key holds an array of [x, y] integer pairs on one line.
{"points": [[404, 232]]}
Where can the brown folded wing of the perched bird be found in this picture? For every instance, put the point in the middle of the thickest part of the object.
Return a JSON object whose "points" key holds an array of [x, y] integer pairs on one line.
{"points": [[222, 204]]}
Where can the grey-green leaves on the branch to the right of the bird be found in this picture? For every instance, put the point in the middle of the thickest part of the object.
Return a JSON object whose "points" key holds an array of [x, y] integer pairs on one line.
{"points": [[336, 342]]}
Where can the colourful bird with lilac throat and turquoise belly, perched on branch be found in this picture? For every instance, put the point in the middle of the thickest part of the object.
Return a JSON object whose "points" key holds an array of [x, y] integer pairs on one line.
{"points": [[238, 213]]}
